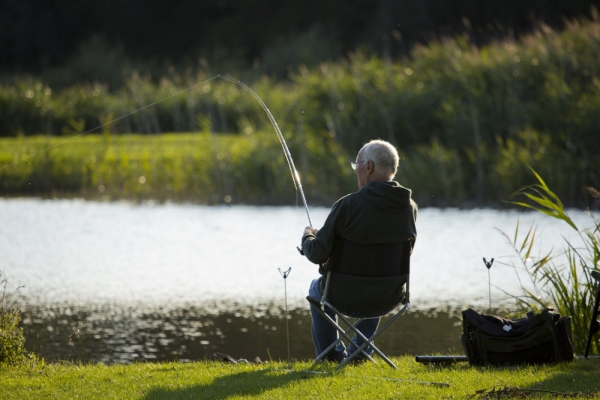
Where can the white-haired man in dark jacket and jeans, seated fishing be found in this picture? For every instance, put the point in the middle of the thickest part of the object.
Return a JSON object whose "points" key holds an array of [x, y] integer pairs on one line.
{"points": [[381, 211]]}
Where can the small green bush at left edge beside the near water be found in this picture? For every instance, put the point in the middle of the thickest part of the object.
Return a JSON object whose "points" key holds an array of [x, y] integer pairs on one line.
{"points": [[12, 340]]}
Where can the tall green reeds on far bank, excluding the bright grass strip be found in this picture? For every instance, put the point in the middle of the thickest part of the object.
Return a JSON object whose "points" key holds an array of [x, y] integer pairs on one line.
{"points": [[466, 118]]}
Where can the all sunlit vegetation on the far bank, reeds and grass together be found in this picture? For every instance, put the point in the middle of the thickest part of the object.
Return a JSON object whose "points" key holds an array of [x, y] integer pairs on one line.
{"points": [[467, 121]]}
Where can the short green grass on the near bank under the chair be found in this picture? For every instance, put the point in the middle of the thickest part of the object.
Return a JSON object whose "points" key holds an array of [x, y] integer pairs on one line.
{"points": [[210, 380]]}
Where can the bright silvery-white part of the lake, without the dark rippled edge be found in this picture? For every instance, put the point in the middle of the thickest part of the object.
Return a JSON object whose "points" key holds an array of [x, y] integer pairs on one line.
{"points": [[84, 252]]}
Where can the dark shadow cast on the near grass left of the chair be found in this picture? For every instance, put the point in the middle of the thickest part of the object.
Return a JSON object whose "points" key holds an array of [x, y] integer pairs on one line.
{"points": [[249, 383]]}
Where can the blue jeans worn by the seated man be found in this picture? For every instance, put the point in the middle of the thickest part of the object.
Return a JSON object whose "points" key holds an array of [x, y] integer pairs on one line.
{"points": [[324, 334]]}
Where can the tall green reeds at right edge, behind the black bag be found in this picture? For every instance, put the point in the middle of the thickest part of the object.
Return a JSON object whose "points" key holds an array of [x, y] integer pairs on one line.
{"points": [[560, 281]]}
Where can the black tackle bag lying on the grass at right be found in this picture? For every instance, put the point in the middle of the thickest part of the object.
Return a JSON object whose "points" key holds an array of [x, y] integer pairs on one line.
{"points": [[539, 338]]}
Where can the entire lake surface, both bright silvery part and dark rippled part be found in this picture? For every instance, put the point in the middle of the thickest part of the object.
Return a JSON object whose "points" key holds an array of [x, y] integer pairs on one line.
{"points": [[118, 272]]}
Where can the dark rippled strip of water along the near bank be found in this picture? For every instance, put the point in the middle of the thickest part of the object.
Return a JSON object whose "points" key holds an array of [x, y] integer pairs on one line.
{"points": [[118, 334]]}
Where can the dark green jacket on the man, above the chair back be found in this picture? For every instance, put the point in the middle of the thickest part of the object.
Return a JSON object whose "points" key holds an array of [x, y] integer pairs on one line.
{"points": [[379, 213]]}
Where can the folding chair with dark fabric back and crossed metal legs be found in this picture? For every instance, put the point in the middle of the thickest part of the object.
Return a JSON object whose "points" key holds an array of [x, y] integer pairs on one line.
{"points": [[364, 281]]}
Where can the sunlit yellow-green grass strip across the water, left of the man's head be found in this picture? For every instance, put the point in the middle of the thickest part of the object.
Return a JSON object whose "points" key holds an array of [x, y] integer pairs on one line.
{"points": [[197, 167]]}
